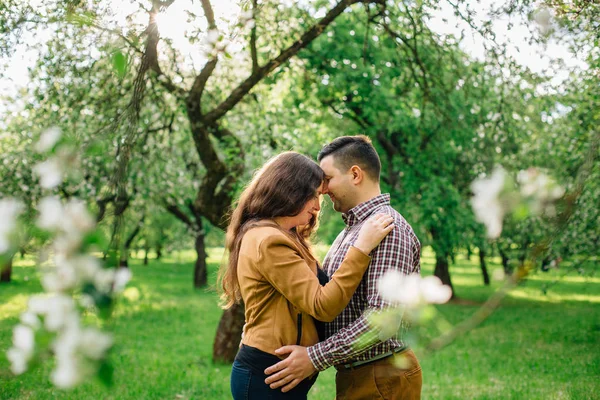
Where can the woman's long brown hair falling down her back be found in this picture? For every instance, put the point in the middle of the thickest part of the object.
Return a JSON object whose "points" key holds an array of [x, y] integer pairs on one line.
{"points": [[280, 188]]}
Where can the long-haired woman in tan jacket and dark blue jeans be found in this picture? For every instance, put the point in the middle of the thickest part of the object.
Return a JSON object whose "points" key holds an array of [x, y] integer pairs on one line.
{"points": [[271, 267]]}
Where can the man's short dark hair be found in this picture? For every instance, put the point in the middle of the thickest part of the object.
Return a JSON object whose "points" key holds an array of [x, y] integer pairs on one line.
{"points": [[353, 150]]}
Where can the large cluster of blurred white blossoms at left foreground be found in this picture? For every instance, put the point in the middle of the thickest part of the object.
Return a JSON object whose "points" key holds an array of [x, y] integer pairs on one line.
{"points": [[77, 350]]}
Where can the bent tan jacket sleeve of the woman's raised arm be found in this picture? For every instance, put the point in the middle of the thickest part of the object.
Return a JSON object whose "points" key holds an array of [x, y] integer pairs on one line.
{"points": [[290, 275]]}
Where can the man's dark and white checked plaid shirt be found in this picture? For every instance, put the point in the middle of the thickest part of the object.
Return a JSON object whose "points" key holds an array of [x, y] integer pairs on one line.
{"points": [[351, 338]]}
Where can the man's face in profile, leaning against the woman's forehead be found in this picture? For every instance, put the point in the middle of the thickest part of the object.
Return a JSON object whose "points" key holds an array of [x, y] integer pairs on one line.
{"points": [[338, 185]]}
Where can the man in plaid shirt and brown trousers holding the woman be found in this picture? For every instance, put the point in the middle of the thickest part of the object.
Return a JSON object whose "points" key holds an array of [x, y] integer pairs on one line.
{"points": [[366, 361]]}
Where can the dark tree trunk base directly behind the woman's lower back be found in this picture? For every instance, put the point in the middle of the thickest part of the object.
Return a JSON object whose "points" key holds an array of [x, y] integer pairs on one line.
{"points": [[229, 334]]}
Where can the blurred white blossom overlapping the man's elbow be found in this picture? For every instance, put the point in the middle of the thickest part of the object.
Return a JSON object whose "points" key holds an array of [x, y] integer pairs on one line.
{"points": [[412, 290]]}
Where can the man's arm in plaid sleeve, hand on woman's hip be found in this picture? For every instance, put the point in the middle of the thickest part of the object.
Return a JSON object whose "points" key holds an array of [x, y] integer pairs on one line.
{"points": [[397, 251]]}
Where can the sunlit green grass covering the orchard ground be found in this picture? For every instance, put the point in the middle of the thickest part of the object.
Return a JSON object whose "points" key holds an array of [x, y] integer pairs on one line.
{"points": [[534, 346]]}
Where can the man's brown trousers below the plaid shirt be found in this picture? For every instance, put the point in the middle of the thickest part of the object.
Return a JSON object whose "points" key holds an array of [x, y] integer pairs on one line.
{"points": [[382, 379]]}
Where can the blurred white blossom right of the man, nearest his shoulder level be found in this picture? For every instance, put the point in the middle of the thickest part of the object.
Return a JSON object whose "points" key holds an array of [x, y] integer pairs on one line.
{"points": [[486, 203]]}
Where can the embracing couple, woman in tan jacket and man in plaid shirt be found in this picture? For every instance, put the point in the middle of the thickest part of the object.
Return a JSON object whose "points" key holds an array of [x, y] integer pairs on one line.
{"points": [[302, 318]]}
